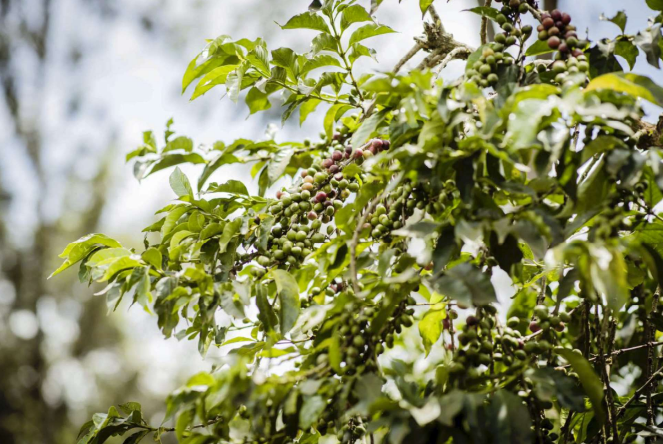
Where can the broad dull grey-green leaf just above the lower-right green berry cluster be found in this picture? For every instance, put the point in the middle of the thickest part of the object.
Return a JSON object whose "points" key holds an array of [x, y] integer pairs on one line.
{"points": [[466, 284]]}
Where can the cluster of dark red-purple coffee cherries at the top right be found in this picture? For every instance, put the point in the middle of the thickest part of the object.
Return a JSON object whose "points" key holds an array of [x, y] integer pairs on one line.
{"points": [[557, 31]]}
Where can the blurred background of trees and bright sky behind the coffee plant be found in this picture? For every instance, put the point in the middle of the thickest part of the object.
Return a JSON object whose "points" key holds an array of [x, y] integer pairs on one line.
{"points": [[80, 79]]}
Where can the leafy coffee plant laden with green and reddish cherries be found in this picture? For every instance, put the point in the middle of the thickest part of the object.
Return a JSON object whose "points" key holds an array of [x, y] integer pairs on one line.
{"points": [[355, 291]]}
